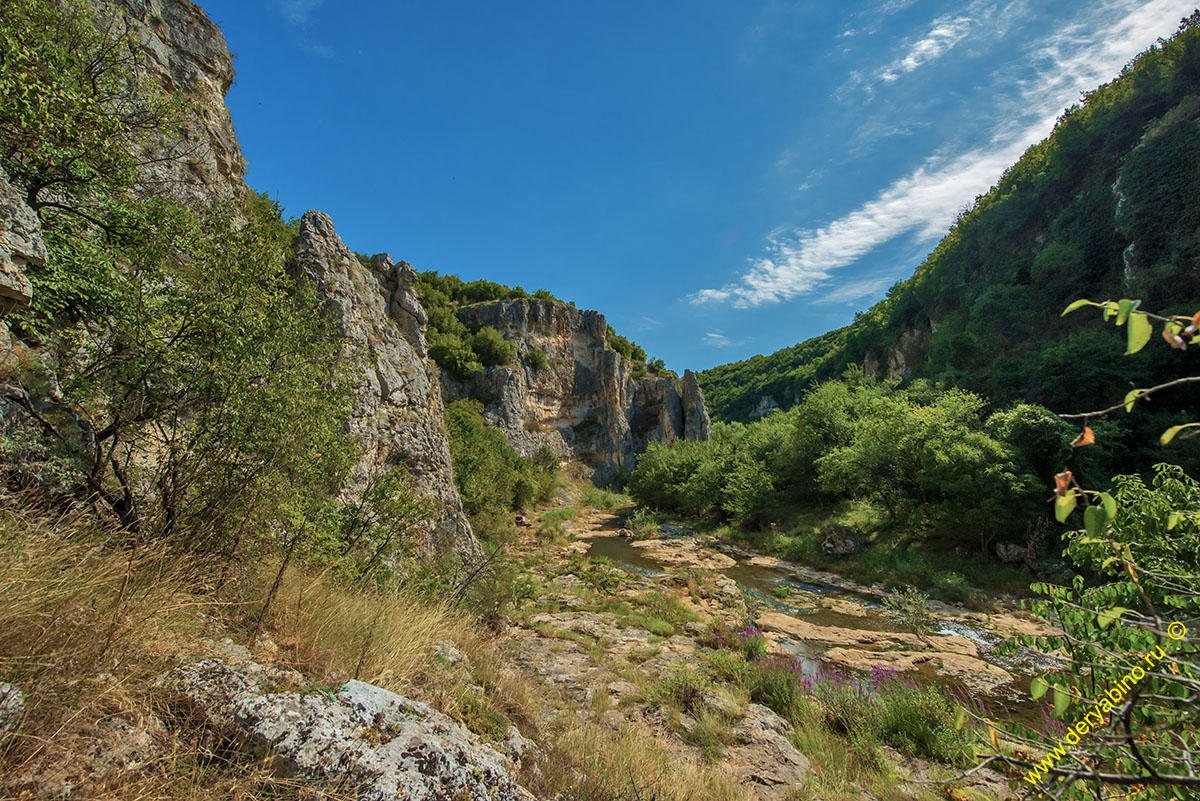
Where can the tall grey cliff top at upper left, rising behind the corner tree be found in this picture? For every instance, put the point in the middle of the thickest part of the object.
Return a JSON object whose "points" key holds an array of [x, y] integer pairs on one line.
{"points": [[187, 55]]}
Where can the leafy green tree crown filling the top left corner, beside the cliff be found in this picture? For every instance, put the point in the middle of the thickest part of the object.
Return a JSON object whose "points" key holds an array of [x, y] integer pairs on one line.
{"points": [[77, 116]]}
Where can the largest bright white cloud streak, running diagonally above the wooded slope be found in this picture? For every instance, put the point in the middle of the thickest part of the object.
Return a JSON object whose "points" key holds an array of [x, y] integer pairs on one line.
{"points": [[926, 202]]}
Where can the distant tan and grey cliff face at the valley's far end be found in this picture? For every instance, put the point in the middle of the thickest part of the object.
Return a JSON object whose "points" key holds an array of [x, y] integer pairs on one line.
{"points": [[585, 405]]}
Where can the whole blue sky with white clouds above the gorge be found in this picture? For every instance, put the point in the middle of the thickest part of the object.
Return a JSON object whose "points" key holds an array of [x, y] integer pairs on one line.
{"points": [[719, 178]]}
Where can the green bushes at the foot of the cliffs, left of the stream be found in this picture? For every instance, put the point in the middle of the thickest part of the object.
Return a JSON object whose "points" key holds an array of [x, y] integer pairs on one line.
{"points": [[493, 479]]}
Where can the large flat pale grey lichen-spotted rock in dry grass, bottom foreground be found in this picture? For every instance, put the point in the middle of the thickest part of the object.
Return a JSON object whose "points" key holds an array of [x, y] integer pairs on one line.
{"points": [[364, 737]]}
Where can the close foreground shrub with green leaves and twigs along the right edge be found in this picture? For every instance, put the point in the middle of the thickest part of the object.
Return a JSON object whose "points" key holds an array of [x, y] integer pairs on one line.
{"points": [[1131, 641]]}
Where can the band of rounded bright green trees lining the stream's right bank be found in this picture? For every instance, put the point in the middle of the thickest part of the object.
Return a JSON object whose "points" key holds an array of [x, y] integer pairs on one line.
{"points": [[927, 456]]}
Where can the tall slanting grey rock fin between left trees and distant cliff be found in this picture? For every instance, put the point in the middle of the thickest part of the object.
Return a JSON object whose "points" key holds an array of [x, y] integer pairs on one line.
{"points": [[398, 413]]}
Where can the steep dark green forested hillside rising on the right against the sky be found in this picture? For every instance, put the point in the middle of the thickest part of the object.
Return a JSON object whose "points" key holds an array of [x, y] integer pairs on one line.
{"points": [[1107, 207]]}
